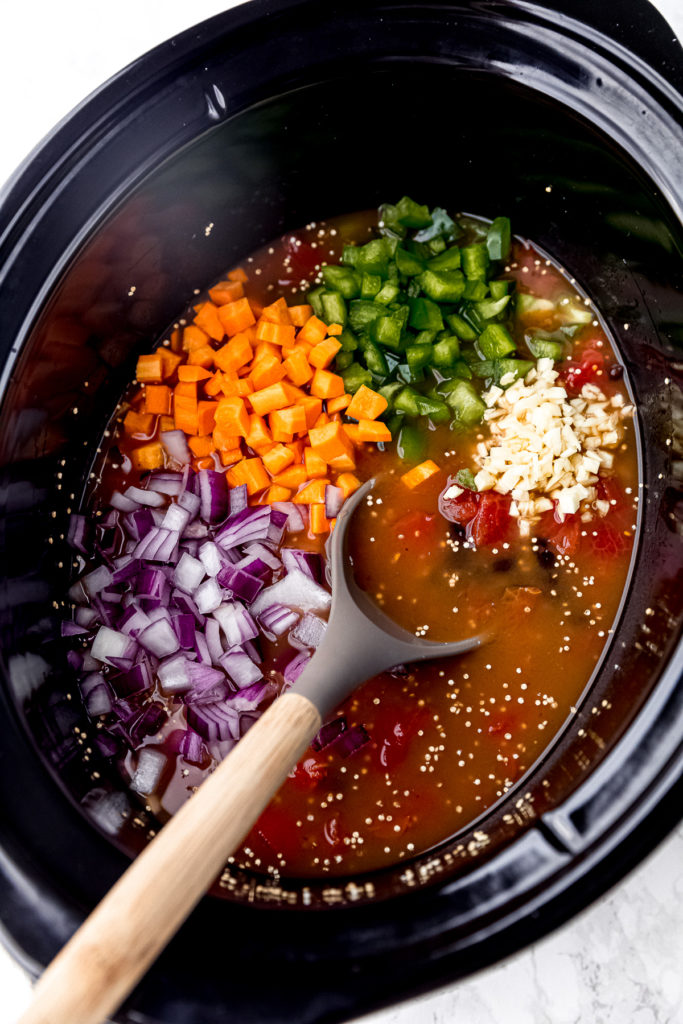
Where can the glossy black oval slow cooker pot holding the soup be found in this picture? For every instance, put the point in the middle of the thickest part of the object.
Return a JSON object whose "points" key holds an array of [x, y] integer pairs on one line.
{"points": [[276, 114]]}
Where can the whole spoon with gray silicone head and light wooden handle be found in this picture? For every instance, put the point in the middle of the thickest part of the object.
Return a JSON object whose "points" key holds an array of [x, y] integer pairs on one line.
{"points": [[125, 933]]}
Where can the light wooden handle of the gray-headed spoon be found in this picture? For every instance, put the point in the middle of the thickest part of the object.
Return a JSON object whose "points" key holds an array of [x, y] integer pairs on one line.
{"points": [[125, 933]]}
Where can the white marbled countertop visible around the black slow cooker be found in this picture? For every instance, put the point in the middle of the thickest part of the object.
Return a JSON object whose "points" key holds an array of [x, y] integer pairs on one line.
{"points": [[619, 963]]}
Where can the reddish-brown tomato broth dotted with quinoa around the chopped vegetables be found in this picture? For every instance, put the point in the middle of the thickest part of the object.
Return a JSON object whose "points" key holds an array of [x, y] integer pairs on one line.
{"points": [[444, 742]]}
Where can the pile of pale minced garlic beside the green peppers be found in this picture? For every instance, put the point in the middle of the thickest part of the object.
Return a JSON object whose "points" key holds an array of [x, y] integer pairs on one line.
{"points": [[545, 447]]}
